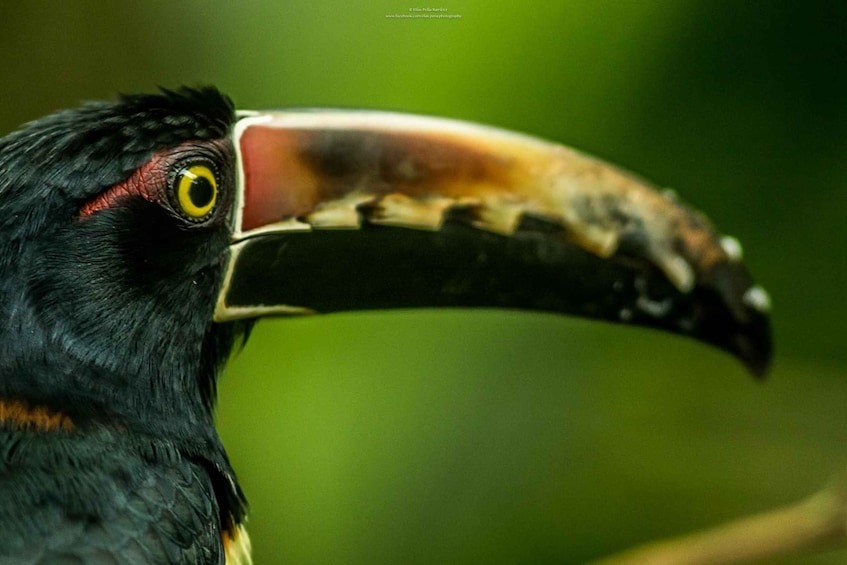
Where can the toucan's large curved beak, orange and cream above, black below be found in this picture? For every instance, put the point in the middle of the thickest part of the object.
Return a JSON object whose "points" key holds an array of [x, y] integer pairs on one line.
{"points": [[351, 210]]}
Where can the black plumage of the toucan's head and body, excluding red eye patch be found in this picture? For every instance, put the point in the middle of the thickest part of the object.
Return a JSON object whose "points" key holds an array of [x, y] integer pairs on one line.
{"points": [[108, 318]]}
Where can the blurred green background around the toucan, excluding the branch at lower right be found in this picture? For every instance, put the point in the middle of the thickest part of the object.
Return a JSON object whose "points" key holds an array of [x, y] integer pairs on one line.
{"points": [[492, 437]]}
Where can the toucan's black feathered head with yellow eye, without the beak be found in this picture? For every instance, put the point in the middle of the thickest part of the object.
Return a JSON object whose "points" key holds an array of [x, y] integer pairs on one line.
{"points": [[114, 236]]}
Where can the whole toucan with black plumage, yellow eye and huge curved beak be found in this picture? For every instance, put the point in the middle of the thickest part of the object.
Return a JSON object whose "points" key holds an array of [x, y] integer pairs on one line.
{"points": [[142, 238]]}
